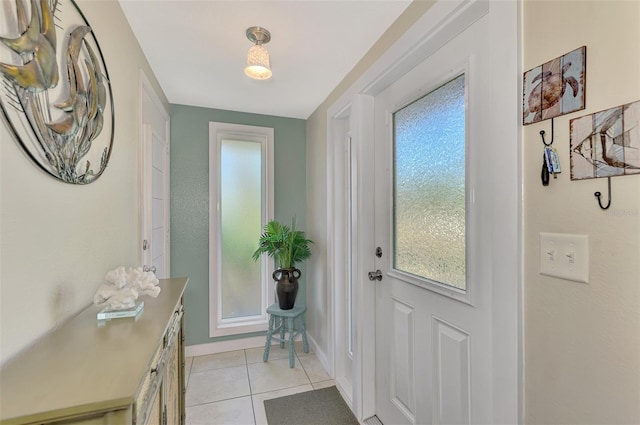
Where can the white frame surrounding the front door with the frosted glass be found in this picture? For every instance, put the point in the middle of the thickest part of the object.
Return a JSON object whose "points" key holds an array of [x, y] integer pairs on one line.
{"points": [[438, 25]]}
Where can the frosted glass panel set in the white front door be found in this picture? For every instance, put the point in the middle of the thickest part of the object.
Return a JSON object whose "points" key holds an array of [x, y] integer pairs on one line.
{"points": [[429, 186]]}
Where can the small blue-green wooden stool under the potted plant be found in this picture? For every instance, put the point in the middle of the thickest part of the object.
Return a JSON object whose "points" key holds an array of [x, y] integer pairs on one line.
{"points": [[283, 321]]}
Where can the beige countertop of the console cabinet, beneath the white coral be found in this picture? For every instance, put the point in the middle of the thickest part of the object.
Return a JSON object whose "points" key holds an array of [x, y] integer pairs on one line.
{"points": [[83, 366]]}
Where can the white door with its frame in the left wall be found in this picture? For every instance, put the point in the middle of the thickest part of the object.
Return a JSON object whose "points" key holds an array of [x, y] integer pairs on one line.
{"points": [[155, 178]]}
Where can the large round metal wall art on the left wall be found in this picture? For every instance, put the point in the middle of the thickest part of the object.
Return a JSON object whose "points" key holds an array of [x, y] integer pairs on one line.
{"points": [[55, 94]]}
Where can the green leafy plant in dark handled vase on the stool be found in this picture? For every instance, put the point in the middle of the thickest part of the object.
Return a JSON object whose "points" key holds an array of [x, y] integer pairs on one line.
{"points": [[288, 246]]}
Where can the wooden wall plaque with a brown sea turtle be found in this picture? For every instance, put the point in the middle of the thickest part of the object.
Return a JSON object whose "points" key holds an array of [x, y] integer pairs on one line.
{"points": [[555, 88]]}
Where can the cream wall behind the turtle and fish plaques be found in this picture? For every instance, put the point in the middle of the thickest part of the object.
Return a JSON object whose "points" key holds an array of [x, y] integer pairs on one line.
{"points": [[582, 342]]}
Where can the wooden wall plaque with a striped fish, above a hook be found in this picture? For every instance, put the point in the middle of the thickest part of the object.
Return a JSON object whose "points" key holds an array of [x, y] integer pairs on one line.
{"points": [[606, 143]]}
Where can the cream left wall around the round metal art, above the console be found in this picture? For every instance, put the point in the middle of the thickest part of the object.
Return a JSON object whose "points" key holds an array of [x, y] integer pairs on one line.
{"points": [[58, 240]]}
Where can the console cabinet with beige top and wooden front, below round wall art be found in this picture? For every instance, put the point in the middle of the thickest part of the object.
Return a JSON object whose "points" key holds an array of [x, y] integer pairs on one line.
{"points": [[115, 372]]}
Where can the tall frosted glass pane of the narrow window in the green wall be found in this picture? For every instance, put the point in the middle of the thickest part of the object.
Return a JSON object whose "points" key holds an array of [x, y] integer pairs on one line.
{"points": [[240, 213]]}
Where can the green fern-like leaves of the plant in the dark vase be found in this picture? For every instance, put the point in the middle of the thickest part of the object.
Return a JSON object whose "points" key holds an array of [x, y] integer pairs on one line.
{"points": [[286, 244]]}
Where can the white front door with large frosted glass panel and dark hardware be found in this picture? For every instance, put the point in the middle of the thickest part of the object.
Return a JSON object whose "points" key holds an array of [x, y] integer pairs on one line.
{"points": [[433, 225]]}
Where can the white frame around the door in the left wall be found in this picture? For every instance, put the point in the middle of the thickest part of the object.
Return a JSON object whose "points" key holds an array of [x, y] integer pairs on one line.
{"points": [[144, 154]]}
